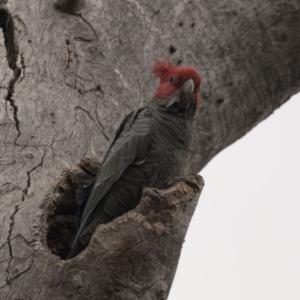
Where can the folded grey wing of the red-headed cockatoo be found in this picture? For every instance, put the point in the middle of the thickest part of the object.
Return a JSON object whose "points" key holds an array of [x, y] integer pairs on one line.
{"points": [[130, 143]]}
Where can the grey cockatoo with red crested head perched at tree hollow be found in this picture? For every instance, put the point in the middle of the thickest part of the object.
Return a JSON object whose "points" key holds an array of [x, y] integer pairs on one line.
{"points": [[148, 152]]}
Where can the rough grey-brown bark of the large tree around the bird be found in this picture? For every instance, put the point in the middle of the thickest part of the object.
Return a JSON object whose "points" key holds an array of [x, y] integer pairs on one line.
{"points": [[69, 73]]}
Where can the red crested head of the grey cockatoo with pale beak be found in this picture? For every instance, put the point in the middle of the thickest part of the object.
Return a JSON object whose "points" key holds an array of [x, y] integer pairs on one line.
{"points": [[179, 84]]}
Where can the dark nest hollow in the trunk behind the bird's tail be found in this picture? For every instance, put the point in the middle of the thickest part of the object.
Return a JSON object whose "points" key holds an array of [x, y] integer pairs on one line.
{"points": [[61, 218]]}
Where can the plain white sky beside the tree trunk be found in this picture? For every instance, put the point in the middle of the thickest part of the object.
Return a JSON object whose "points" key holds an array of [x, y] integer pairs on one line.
{"points": [[244, 239]]}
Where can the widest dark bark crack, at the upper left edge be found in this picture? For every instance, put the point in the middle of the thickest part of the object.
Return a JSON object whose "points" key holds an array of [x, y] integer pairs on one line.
{"points": [[7, 26]]}
